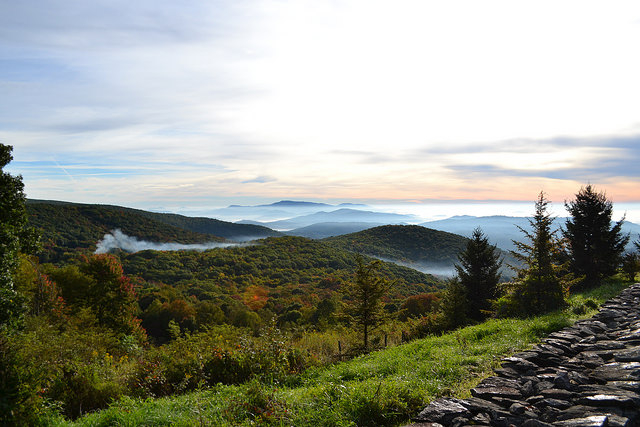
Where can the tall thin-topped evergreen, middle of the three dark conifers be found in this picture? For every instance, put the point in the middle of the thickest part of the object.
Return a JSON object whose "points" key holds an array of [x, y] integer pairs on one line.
{"points": [[540, 286]]}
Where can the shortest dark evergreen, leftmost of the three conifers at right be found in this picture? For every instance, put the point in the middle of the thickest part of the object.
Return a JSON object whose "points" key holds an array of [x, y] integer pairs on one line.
{"points": [[479, 273]]}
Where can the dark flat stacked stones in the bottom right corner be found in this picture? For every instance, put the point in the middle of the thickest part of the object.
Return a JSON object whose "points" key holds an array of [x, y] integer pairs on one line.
{"points": [[585, 375]]}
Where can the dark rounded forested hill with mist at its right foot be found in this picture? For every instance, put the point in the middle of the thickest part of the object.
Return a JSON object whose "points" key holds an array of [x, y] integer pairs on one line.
{"points": [[405, 243]]}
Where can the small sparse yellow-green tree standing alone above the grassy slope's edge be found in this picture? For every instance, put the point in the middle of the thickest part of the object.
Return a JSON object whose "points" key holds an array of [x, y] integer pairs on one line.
{"points": [[364, 294]]}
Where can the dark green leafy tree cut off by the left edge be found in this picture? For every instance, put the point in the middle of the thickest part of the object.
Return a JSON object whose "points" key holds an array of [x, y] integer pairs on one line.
{"points": [[15, 237]]}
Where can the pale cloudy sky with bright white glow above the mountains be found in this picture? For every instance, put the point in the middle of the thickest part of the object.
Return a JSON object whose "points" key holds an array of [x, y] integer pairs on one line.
{"points": [[157, 104]]}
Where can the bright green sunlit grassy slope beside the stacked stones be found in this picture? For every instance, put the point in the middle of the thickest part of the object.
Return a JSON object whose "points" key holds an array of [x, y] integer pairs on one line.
{"points": [[382, 388]]}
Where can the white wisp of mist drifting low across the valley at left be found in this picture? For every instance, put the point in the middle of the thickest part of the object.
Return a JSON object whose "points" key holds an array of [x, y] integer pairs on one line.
{"points": [[118, 240]]}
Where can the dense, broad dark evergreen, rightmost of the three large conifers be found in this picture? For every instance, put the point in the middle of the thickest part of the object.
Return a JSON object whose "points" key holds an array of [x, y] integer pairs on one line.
{"points": [[594, 245]]}
